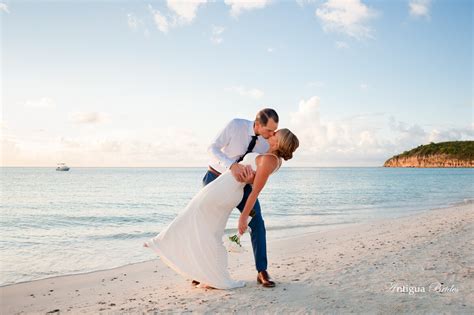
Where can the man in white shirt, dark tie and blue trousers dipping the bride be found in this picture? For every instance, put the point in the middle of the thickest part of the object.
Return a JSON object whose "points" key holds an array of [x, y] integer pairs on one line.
{"points": [[238, 138]]}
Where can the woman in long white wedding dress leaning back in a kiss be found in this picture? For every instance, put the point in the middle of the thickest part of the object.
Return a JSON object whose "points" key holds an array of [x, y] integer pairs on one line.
{"points": [[192, 243]]}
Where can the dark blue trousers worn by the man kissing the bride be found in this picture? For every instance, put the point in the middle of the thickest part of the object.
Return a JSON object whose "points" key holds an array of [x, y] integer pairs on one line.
{"points": [[257, 225]]}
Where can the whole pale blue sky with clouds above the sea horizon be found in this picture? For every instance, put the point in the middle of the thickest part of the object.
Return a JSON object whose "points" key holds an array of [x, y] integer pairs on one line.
{"points": [[151, 83]]}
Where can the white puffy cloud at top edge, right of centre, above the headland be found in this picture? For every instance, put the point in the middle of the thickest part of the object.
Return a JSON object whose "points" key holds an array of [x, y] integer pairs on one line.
{"points": [[346, 16]]}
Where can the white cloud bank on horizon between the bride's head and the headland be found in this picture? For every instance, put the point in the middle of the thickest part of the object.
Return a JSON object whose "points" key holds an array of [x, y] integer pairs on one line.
{"points": [[366, 139]]}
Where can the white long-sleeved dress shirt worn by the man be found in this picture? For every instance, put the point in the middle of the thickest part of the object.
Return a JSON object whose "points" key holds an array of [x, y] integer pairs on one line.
{"points": [[232, 142]]}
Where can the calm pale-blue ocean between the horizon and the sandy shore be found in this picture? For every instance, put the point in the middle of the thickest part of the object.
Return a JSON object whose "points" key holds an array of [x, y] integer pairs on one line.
{"points": [[57, 223]]}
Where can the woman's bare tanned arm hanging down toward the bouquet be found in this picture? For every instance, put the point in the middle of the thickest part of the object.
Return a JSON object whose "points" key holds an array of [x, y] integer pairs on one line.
{"points": [[266, 164]]}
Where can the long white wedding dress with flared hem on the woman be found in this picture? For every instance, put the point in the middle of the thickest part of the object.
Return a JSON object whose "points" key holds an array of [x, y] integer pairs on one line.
{"points": [[192, 244]]}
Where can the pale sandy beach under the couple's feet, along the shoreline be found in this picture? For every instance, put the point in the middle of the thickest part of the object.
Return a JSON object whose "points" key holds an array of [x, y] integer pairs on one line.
{"points": [[421, 263]]}
